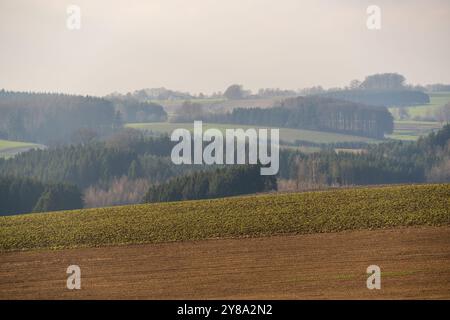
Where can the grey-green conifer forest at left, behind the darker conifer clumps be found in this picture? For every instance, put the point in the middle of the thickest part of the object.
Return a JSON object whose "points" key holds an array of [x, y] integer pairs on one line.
{"points": [[97, 162]]}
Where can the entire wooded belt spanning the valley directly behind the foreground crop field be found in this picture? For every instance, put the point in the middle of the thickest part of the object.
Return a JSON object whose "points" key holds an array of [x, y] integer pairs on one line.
{"points": [[100, 167]]}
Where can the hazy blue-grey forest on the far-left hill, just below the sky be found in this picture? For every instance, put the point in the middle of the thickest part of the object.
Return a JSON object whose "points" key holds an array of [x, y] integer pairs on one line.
{"points": [[49, 118]]}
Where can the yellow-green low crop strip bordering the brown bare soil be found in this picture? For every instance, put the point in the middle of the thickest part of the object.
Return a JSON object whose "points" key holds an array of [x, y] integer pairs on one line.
{"points": [[263, 215]]}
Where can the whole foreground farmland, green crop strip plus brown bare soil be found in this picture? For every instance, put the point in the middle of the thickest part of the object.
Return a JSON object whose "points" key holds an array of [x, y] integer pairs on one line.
{"points": [[314, 245]]}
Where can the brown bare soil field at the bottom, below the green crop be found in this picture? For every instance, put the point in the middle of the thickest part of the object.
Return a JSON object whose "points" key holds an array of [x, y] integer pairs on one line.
{"points": [[415, 263]]}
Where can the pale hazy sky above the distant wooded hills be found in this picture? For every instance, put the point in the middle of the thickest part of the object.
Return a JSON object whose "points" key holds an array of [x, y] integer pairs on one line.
{"points": [[205, 45]]}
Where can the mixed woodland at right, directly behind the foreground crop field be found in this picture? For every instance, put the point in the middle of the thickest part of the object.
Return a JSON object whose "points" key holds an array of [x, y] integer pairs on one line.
{"points": [[427, 159]]}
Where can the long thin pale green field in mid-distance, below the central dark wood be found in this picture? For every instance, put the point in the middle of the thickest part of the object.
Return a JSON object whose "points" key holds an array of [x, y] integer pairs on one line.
{"points": [[287, 135]]}
